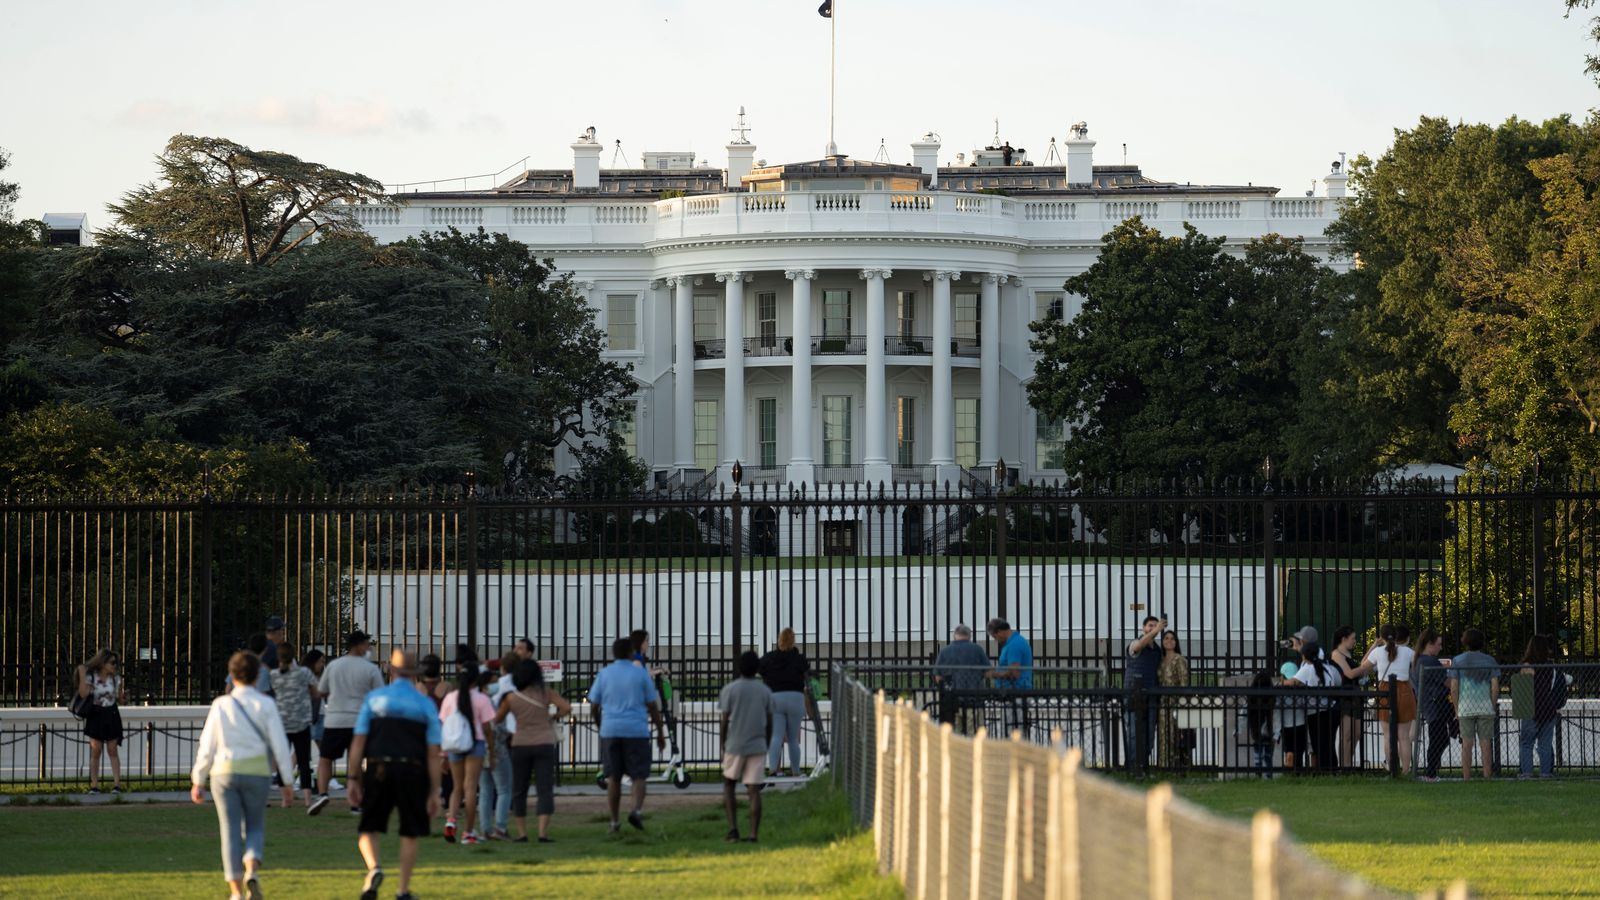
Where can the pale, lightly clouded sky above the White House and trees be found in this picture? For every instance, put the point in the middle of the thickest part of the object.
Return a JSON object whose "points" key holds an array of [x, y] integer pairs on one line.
{"points": [[1207, 92]]}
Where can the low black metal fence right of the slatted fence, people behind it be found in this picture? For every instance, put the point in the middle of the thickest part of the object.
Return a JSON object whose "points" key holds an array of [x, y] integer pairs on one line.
{"points": [[1545, 721]]}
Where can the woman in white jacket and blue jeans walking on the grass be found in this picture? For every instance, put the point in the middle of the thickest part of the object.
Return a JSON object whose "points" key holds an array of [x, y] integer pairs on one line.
{"points": [[239, 749]]}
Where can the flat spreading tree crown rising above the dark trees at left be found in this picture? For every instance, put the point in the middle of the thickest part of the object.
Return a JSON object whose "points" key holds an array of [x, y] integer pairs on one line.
{"points": [[225, 201]]}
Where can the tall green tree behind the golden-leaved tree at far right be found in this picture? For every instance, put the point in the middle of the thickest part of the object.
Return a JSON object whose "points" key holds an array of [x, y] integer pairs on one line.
{"points": [[1412, 209]]}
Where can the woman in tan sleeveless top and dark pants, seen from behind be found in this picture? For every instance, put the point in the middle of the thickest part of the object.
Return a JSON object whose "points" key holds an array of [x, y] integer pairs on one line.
{"points": [[534, 752]]}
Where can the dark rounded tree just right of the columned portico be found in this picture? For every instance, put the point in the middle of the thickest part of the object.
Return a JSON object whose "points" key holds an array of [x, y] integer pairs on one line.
{"points": [[1183, 361]]}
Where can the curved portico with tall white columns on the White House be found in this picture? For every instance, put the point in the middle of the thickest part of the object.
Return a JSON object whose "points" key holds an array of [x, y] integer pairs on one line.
{"points": [[823, 347]]}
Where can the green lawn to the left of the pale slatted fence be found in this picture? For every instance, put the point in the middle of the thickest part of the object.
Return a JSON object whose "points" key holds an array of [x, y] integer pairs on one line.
{"points": [[809, 850]]}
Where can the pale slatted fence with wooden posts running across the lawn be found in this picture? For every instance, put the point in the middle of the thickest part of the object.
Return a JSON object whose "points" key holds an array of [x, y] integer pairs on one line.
{"points": [[974, 818]]}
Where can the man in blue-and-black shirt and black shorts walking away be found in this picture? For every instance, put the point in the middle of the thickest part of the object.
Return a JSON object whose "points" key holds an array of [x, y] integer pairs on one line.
{"points": [[396, 750]]}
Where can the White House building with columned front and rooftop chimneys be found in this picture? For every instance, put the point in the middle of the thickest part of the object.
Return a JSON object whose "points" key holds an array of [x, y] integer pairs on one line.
{"points": [[841, 321]]}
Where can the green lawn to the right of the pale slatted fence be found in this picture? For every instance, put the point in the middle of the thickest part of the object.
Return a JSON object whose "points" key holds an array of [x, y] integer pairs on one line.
{"points": [[1505, 838]]}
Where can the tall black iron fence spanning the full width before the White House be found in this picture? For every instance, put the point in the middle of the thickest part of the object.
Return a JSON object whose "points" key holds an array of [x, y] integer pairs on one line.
{"points": [[863, 574]]}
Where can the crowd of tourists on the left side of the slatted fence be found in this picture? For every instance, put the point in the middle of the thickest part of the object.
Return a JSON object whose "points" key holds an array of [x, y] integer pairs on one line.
{"points": [[420, 747]]}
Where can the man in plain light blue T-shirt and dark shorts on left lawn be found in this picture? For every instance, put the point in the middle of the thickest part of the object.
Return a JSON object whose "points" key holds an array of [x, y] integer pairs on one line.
{"points": [[625, 704]]}
